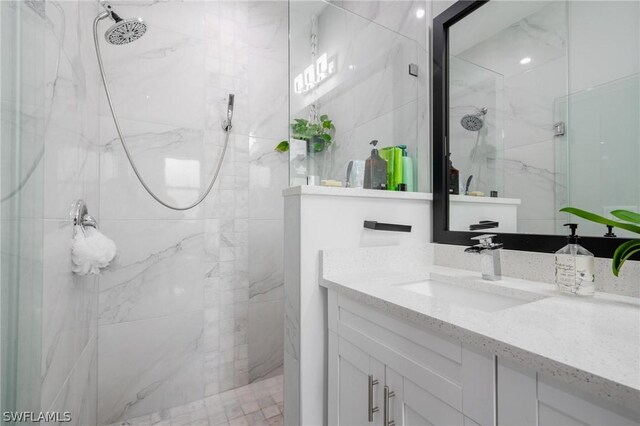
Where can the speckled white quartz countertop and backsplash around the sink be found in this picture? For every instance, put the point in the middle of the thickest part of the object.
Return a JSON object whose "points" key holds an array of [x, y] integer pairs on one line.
{"points": [[590, 343]]}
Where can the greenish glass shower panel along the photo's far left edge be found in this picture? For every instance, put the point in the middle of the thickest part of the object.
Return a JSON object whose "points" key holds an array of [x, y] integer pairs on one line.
{"points": [[21, 181]]}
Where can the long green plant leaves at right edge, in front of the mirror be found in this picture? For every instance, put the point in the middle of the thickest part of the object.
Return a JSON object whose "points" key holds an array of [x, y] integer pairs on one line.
{"points": [[631, 222]]}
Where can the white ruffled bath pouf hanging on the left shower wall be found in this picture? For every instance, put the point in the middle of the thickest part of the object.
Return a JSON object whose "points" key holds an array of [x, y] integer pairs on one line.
{"points": [[91, 252]]}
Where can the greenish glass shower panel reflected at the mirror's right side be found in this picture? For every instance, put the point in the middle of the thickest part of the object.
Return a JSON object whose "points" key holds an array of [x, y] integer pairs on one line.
{"points": [[600, 154]]}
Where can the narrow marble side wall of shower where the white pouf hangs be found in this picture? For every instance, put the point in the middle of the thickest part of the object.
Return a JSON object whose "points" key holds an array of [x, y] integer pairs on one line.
{"points": [[70, 166]]}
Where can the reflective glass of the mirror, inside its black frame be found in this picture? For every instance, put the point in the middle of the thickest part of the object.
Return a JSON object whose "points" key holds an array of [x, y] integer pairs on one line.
{"points": [[544, 113]]}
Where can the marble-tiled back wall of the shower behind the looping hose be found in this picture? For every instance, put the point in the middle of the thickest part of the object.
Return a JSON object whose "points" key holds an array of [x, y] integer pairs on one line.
{"points": [[186, 310]]}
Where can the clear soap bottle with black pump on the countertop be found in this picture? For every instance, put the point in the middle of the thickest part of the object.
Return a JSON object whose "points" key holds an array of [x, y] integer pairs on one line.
{"points": [[575, 267]]}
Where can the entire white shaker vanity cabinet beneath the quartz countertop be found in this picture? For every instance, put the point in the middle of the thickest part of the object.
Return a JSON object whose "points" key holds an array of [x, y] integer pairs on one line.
{"points": [[431, 379]]}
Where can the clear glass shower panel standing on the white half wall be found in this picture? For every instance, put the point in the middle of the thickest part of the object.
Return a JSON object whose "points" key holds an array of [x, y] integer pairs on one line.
{"points": [[353, 72]]}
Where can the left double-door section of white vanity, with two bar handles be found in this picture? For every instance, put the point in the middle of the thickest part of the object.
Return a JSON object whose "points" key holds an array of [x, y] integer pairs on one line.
{"points": [[383, 371]]}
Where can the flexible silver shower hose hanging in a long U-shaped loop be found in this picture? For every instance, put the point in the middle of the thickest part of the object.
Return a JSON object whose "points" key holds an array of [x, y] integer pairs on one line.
{"points": [[226, 128]]}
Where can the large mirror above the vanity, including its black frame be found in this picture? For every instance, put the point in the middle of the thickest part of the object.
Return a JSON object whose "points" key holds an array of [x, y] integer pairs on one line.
{"points": [[464, 123]]}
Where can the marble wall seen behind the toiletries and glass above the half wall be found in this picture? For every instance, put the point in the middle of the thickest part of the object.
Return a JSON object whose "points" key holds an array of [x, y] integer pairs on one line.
{"points": [[372, 96]]}
